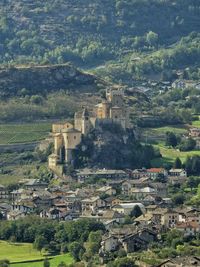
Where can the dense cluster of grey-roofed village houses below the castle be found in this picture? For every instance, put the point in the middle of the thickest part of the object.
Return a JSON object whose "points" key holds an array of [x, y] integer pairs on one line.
{"points": [[141, 191]]}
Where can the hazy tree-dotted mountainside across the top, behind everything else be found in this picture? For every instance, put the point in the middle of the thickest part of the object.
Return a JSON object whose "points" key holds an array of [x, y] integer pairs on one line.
{"points": [[88, 32]]}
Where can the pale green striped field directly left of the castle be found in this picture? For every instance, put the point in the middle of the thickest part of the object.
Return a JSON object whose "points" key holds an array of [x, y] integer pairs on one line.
{"points": [[23, 133]]}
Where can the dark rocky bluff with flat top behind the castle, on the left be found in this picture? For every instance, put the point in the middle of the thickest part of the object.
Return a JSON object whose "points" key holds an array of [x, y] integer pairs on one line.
{"points": [[44, 79]]}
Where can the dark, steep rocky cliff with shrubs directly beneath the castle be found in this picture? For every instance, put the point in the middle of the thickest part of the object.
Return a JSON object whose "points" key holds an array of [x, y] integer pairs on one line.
{"points": [[111, 147]]}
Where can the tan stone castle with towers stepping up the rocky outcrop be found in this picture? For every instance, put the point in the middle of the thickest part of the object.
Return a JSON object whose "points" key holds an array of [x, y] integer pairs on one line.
{"points": [[68, 136]]}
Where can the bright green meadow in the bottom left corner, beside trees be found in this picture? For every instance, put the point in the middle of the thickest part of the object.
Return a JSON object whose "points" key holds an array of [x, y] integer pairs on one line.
{"points": [[17, 253]]}
